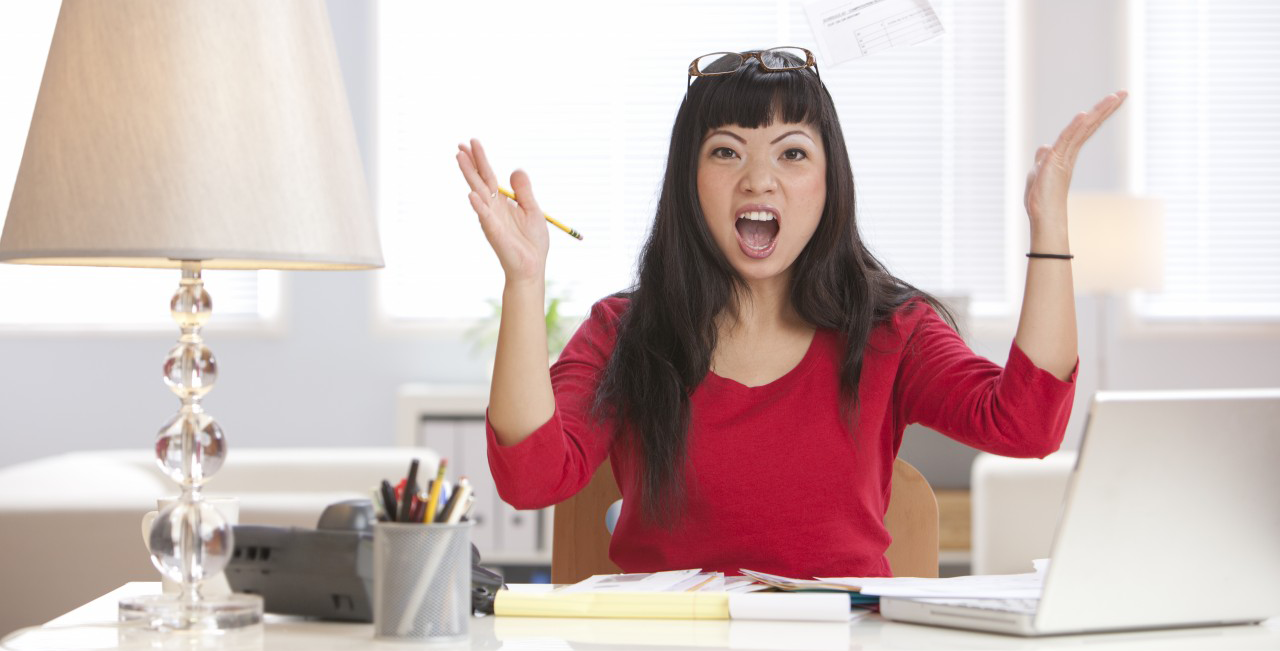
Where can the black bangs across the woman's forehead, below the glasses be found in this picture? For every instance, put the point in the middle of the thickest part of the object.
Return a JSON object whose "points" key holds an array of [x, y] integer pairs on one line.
{"points": [[753, 98]]}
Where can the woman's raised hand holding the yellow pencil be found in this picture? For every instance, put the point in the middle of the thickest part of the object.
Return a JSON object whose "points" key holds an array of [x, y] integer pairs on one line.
{"points": [[515, 230]]}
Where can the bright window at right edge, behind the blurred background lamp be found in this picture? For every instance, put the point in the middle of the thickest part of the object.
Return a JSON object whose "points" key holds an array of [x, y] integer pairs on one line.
{"points": [[1209, 144]]}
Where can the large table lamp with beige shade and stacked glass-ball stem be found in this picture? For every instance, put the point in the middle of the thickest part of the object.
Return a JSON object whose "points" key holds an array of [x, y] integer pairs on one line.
{"points": [[193, 136]]}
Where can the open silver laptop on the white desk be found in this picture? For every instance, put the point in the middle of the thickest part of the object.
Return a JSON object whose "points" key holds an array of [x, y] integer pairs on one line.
{"points": [[1172, 520]]}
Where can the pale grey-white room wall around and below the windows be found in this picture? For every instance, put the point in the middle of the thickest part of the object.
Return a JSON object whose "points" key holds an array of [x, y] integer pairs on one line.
{"points": [[330, 375]]}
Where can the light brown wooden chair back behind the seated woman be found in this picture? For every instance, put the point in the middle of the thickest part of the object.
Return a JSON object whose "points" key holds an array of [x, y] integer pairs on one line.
{"points": [[580, 544]]}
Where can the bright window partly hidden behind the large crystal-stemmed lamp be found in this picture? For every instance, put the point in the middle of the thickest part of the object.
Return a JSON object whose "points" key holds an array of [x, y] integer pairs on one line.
{"points": [[79, 297]]}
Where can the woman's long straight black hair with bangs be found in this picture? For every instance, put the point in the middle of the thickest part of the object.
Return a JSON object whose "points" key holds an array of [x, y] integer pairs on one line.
{"points": [[668, 334]]}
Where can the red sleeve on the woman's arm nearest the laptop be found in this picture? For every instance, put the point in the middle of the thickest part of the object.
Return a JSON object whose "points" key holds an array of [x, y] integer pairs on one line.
{"points": [[1017, 411]]}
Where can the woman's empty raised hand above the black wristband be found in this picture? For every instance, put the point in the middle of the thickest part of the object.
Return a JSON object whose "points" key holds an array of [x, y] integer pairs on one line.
{"points": [[1052, 175]]}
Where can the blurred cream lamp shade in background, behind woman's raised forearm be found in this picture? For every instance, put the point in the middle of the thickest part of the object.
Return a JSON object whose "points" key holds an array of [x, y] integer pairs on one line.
{"points": [[1118, 241]]}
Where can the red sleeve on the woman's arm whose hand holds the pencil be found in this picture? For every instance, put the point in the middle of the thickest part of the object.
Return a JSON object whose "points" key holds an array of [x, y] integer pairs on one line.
{"points": [[559, 459]]}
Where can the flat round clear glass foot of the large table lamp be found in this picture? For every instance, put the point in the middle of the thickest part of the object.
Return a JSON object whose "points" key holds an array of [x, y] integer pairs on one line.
{"points": [[171, 613]]}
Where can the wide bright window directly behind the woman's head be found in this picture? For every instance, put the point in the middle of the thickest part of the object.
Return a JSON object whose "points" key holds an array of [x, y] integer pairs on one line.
{"points": [[587, 104]]}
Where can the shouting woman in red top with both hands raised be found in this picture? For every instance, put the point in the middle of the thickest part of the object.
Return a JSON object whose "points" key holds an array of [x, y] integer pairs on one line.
{"points": [[753, 387]]}
